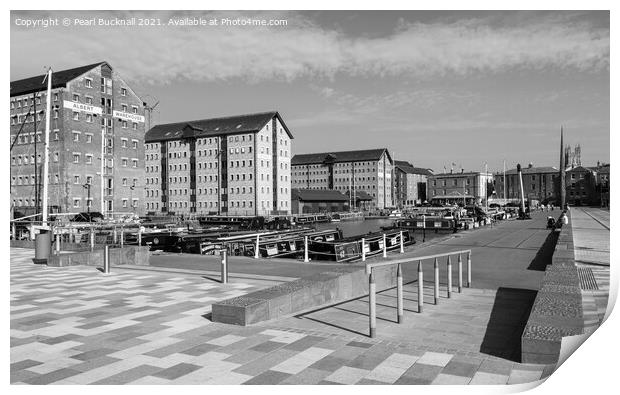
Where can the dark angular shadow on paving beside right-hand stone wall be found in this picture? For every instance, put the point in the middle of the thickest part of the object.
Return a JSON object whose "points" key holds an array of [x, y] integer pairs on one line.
{"points": [[509, 316]]}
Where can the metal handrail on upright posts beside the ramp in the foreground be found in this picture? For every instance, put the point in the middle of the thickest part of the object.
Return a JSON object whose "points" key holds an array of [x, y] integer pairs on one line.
{"points": [[372, 286]]}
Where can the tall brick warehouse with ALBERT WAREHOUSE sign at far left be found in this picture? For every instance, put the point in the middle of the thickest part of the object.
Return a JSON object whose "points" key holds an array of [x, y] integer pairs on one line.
{"points": [[94, 112]]}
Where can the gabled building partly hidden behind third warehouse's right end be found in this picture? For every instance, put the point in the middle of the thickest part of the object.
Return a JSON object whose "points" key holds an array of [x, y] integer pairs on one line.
{"points": [[409, 184]]}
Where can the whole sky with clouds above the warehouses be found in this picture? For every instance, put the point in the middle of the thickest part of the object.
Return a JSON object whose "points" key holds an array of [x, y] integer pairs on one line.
{"points": [[434, 87]]}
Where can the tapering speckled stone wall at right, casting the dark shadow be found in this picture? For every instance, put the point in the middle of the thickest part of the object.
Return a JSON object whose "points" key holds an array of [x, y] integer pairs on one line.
{"points": [[557, 310]]}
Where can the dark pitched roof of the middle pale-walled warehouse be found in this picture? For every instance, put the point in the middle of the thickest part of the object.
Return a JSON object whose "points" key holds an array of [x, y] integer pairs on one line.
{"points": [[246, 123]]}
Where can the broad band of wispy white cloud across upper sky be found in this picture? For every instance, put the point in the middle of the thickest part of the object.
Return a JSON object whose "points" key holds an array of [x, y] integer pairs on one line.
{"points": [[305, 49]]}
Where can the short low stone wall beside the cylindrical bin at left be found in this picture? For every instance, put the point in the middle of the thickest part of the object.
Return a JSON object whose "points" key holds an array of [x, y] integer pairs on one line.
{"points": [[118, 256]]}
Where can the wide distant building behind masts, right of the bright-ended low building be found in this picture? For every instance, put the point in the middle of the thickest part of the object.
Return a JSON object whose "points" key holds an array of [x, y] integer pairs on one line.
{"points": [[539, 183]]}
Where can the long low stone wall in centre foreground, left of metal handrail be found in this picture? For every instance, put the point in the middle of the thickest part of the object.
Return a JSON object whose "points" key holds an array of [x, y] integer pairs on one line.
{"points": [[336, 285]]}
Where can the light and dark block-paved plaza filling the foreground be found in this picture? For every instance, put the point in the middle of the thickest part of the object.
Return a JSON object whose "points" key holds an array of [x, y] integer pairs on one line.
{"points": [[76, 325]]}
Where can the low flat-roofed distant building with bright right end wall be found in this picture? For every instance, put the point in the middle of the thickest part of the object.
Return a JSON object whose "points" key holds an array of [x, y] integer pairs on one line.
{"points": [[463, 187]]}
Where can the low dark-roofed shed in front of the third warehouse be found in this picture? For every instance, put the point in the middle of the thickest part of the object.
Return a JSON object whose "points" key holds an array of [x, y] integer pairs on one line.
{"points": [[305, 201]]}
